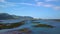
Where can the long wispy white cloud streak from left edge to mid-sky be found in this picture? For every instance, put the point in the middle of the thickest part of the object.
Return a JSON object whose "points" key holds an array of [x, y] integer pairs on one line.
{"points": [[12, 4]]}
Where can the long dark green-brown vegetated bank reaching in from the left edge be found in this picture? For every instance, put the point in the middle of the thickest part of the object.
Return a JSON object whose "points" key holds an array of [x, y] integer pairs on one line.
{"points": [[12, 25]]}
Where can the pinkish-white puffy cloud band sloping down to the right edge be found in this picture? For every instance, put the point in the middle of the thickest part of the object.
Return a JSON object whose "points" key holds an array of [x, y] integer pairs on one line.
{"points": [[47, 5]]}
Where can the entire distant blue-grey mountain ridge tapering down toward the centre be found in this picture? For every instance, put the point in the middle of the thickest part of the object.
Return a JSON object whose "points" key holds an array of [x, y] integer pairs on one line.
{"points": [[4, 16]]}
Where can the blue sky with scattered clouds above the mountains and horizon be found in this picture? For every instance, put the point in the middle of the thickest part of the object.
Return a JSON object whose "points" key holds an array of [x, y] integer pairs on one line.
{"points": [[45, 9]]}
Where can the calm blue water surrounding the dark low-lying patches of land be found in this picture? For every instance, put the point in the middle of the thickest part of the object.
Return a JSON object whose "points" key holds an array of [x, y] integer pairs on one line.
{"points": [[40, 30]]}
